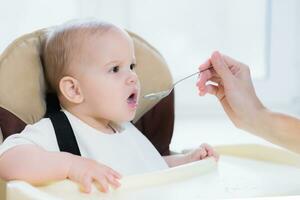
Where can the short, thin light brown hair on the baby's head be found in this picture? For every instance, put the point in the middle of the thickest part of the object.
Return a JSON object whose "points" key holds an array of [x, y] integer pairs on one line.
{"points": [[63, 44]]}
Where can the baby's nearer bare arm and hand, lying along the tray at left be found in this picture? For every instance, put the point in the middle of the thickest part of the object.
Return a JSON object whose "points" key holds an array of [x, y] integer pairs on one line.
{"points": [[36, 166]]}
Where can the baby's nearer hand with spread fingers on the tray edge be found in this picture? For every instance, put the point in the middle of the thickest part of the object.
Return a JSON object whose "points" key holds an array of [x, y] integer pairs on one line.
{"points": [[85, 171]]}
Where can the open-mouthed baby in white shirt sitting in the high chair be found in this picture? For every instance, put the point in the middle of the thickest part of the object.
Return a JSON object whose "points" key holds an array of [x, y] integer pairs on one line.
{"points": [[91, 67]]}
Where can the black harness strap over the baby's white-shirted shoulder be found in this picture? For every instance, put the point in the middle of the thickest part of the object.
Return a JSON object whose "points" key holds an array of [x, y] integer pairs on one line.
{"points": [[64, 133]]}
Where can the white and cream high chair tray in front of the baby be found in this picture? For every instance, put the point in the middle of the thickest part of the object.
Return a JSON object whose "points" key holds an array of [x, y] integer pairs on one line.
{"points": [[243, 171]]}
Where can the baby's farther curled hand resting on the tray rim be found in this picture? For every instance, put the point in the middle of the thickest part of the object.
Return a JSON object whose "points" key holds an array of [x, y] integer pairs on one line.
{"points": [[201, 153]]}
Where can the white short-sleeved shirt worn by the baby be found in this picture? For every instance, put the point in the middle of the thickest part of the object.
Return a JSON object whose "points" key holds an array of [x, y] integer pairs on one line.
{"points": [[128, 152]]}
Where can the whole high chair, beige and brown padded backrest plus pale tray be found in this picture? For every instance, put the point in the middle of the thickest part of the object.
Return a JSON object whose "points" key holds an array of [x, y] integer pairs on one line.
{"points": [[23, 93]]}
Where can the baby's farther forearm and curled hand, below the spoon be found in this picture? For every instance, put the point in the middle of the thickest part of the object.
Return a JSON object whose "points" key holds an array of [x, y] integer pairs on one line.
{"points": [[200, 153]]}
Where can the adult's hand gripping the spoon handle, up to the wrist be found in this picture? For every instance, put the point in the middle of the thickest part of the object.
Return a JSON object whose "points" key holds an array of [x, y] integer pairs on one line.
{"points": [[233, 87]]}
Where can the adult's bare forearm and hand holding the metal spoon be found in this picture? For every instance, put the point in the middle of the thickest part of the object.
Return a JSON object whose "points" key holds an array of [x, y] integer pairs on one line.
{"points": [[235, 91]]}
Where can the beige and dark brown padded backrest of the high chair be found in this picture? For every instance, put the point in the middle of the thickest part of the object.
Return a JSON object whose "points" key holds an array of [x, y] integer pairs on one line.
{"points": [[23, 89]]}
